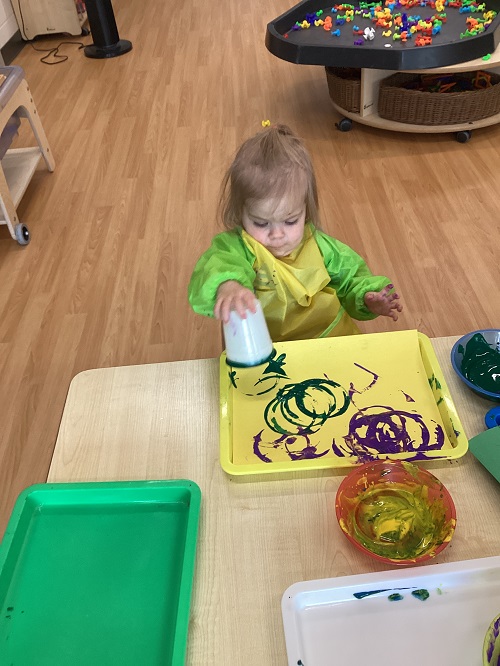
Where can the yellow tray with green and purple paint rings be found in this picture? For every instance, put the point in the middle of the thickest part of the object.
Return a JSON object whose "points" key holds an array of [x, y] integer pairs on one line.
{"points": [[338, 402]]}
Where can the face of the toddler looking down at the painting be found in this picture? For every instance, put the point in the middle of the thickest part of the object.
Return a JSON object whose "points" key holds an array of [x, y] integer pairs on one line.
{"points": [[277, 223]]}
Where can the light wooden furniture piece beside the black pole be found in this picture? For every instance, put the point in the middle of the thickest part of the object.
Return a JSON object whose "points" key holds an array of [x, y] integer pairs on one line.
{"points": [[45, 17]]}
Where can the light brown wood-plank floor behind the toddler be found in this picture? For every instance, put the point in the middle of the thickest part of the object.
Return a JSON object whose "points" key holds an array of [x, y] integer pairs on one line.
{"points": [[141, 143]]}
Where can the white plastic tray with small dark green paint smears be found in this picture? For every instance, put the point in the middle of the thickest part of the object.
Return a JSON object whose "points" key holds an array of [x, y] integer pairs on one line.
{"points": [[325, 625]]}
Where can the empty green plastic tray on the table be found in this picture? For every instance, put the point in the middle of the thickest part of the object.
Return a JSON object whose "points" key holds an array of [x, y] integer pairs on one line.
{"points": [[98, 574]]}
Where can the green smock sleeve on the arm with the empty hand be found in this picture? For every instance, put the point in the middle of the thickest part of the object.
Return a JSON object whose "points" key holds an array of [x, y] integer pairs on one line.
{"points": [[350, 276]]}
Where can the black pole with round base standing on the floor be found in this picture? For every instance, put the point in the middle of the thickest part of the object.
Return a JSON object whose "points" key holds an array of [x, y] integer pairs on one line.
{"points": [[107, 42]]}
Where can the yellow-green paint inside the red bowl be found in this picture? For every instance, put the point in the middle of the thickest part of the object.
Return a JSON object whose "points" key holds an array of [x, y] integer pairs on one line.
{"points": [[397, 521]]}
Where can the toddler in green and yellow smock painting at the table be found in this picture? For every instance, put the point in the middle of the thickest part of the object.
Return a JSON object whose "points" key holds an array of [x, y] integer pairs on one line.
{"points": [[309, 284]]}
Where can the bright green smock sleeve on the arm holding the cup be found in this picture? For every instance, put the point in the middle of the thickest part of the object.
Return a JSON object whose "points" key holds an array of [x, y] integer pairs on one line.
{"points": [[227, 258]]}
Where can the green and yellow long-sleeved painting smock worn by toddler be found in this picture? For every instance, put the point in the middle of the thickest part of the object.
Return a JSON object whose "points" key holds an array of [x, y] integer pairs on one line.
{"points": [[316, 291]]}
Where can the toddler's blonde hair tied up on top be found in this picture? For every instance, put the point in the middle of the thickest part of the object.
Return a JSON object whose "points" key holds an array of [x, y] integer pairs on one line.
{"points": [[268, 165]]}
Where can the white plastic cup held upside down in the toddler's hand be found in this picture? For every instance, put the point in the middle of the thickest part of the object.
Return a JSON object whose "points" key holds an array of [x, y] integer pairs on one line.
{"points": [[248, 342]]}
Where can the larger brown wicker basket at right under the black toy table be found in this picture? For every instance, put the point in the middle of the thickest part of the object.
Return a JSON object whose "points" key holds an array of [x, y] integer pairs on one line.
{"points": [[433, 108]]}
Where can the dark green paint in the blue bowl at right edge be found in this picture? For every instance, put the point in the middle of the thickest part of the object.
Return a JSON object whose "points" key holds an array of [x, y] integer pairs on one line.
{"points": [[481, 364]]}
